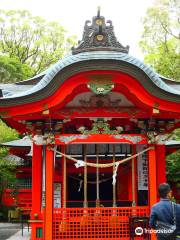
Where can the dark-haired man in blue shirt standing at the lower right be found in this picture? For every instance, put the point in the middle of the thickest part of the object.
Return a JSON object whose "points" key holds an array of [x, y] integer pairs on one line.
{"points": [[163, 211]]}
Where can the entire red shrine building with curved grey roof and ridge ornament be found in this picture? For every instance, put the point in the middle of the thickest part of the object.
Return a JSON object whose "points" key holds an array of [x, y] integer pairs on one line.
{"points": [[98, 120]]}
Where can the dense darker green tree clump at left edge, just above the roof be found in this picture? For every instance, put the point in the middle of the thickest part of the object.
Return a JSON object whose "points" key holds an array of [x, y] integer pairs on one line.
{"points": [[12, 70]]}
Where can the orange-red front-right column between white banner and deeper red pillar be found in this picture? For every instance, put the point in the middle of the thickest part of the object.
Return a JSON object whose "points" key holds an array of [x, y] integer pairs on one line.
{"points": [[152, 176]]}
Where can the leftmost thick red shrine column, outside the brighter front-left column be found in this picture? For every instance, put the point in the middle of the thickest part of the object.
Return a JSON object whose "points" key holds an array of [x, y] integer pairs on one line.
{"points": [[36, 186]]}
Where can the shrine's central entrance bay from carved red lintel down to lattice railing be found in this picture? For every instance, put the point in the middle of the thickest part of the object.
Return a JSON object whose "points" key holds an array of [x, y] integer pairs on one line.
{"points": [[99, 188]]}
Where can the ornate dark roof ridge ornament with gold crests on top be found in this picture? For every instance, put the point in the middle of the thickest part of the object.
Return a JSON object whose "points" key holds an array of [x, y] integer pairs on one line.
{"points": [[99, 36]]}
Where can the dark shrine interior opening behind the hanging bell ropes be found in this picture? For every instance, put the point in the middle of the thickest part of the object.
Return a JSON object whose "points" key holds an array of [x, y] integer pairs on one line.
{"points": [[98, 180]]}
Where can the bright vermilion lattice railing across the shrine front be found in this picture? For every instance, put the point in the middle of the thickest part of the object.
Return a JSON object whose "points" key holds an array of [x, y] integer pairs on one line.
{"points": [[95, 223]]}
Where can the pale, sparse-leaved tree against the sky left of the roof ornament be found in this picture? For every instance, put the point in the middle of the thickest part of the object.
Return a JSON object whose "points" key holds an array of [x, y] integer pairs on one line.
{"points": [[32, 40]]}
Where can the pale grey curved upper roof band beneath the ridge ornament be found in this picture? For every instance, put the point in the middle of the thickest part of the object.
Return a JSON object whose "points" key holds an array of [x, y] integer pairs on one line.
{"points": [[96, 55]]}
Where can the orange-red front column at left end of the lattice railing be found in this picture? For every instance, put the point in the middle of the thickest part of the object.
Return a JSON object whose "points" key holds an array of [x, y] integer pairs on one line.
{"points": [[49, 194]]}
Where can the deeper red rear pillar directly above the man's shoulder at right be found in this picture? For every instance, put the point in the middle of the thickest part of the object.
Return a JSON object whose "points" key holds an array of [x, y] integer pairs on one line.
{"points": [[161, 164]]}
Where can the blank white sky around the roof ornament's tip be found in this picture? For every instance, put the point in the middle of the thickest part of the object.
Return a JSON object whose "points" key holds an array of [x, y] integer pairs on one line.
{"points": [[126, 16]]}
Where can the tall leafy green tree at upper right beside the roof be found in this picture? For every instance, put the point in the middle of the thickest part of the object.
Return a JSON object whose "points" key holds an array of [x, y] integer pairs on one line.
{"points": [[161, 38]]}
